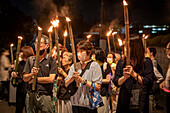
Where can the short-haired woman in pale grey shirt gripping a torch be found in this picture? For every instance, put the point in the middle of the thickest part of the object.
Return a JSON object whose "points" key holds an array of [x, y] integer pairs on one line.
{"points": [[80, 100]]}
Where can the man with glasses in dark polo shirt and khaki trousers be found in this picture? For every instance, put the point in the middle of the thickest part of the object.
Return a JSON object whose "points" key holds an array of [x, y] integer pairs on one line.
{"points": [[40, 98]]}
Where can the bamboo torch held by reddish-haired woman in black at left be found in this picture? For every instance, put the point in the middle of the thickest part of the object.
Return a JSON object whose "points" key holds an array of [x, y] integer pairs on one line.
{"points": [[17, 56]]}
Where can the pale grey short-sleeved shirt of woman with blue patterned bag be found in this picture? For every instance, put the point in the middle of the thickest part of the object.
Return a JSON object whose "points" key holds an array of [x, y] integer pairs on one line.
{"points": [[93, 74]]}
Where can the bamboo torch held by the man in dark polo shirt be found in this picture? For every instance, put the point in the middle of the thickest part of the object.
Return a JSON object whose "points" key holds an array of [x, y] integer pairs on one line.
{"points": [[36, 57]]}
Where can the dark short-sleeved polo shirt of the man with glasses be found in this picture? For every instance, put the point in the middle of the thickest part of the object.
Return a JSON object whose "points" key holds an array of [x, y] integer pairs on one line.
{"points": [[46, 67]]}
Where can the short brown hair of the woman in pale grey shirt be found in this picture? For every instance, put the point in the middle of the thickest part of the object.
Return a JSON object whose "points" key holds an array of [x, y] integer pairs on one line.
{"points": [[87, 46]]}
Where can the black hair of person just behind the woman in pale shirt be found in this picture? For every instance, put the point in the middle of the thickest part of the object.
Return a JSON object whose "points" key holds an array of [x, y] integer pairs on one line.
{"points": [[100, 54]]}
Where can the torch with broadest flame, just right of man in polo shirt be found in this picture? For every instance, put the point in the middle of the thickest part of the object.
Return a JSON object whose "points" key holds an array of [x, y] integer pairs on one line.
{"points": [[55, 23]]}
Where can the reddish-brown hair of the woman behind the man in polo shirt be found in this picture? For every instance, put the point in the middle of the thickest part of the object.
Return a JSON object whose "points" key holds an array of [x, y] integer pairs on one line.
{"points": [[27, 51]]}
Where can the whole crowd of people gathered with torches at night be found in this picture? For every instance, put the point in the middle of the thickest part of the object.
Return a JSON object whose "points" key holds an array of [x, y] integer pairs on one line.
{"points": [[124, 88]]}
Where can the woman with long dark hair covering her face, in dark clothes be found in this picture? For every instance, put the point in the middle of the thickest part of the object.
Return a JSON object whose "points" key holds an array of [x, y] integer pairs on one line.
{"points": [[134, 79]]}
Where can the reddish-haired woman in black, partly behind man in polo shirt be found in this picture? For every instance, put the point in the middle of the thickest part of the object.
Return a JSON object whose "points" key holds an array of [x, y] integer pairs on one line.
{"points": [[26, 52]]}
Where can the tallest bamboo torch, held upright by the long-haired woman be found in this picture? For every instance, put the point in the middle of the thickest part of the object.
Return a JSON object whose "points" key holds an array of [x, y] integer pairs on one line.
{"points": [[126, 18]]}
